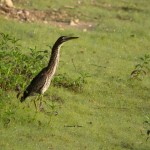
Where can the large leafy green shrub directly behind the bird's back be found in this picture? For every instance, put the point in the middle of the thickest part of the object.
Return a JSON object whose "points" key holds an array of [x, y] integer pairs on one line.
{"points": [[17, 67]]}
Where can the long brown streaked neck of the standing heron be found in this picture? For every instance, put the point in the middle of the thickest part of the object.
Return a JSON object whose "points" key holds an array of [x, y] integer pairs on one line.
{"points": [[54, 58]]}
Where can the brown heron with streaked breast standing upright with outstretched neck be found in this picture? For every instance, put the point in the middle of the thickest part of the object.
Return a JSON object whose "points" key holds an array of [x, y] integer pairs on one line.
{"points": [[41, 82]]}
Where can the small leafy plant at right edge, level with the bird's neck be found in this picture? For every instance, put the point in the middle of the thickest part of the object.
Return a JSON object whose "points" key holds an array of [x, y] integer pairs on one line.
{"points": [[142, 68]]}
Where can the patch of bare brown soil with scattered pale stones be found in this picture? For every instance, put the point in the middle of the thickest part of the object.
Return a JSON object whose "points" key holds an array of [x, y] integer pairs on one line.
{"points": [[54, 17]]}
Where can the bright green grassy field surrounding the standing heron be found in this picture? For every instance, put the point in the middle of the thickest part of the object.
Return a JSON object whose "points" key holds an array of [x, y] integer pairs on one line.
{"points": [[102, 107]]}
